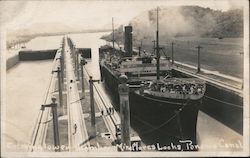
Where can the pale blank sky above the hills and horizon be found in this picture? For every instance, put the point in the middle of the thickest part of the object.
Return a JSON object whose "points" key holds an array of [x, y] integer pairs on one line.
{"points": [[88, 14]]}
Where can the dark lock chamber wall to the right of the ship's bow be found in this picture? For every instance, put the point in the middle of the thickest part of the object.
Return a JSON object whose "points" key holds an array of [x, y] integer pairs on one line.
{"points": [[222, 104]]}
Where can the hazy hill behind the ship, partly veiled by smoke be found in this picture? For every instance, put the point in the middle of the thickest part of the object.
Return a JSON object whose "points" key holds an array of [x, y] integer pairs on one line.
{"points": [[186, 21]]}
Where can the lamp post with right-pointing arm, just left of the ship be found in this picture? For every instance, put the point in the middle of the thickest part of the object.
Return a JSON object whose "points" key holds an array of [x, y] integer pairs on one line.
{"points": [[92, 107]]}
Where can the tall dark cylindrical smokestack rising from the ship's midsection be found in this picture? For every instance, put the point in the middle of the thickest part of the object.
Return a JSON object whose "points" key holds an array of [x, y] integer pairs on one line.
{"points": [[128, 45]]}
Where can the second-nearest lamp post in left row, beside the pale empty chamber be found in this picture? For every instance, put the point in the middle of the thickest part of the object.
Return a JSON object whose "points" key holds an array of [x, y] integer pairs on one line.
{"points": [[61, 109]]}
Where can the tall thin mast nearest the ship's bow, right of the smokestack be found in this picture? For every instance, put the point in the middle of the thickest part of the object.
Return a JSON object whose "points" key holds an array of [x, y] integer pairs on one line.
{"points": [[157, 48]]}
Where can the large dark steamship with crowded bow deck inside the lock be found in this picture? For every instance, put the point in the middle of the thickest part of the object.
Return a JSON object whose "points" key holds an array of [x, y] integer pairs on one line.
{"points": [[158, 96]]}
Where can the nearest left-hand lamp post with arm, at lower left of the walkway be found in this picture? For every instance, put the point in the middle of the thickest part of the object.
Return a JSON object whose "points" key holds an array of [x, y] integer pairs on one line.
{"points": [[53, 105]]}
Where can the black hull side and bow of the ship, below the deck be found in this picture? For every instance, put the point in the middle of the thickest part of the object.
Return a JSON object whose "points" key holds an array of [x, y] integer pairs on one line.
{"points": [[156, 116]]}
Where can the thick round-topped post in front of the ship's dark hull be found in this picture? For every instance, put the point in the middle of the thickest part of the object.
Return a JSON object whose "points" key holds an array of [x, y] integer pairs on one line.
{"points": [[124, 110]]}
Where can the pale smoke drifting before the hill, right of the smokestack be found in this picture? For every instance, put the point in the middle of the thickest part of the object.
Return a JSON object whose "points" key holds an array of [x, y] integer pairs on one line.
{"points": [[173, 21]]}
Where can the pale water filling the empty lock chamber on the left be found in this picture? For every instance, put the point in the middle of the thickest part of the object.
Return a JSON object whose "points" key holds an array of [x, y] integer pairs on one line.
{"points": [[26, 87]]}
